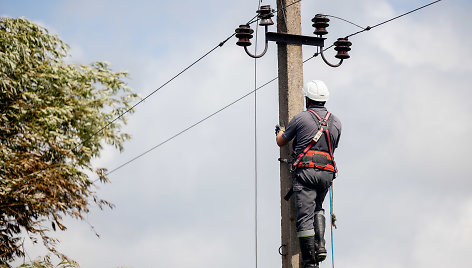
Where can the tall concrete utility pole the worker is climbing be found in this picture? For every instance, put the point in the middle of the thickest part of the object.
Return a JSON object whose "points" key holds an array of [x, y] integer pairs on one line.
{"points": [[290, 103]]}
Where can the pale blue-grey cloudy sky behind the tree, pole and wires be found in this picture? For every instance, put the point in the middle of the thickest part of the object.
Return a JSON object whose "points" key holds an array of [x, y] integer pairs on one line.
{"points": [[402, 196]]}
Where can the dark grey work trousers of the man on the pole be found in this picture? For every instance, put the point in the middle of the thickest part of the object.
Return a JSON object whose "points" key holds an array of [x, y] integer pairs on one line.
{"points": [[310, 187]]}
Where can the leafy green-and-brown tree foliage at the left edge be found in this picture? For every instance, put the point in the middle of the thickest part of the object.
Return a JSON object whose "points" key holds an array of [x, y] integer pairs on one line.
{"points": [[51, 116]]}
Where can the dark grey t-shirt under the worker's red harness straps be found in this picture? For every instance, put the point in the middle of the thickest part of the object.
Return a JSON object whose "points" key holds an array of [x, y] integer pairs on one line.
{"points": [[304, 126]]}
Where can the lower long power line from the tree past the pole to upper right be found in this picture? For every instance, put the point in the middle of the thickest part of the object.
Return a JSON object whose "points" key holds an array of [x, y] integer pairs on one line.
{"points": [[249, 93]]}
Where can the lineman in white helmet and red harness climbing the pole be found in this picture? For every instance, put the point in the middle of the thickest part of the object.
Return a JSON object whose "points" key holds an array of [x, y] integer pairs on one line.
{"points": [[316, 133]]}
